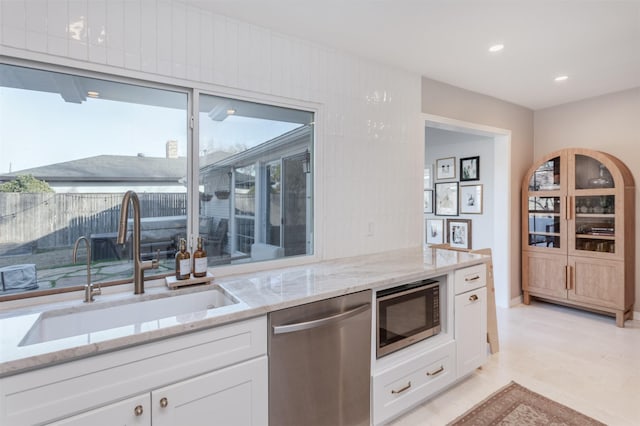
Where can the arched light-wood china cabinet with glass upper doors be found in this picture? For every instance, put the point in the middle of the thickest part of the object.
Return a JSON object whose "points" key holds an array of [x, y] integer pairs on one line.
{"points": [[578, 232]]}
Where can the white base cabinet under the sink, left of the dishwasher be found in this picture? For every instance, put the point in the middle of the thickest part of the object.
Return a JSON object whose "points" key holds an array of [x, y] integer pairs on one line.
{"points": [[206, 374]]}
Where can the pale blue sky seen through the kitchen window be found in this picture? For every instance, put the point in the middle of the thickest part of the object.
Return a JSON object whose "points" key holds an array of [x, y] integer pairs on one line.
{"points": [[40, 128]]}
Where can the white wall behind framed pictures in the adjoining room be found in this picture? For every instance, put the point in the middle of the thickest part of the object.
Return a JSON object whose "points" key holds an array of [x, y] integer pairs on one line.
{"points": [[442, 144]]}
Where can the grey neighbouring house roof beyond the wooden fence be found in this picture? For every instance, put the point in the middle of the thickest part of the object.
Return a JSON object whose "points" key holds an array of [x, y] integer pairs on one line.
{"points": [[109, 168]]}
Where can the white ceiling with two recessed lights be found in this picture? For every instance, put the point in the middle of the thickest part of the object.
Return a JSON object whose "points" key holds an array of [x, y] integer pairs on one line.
{"points": [[596, 43]]}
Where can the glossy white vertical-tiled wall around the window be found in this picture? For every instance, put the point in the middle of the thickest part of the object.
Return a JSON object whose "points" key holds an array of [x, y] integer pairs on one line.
{"points": [[368, 175]]}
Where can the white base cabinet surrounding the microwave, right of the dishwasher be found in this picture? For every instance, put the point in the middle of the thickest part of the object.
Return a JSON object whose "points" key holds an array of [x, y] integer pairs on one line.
{"points": [[408, 377]]}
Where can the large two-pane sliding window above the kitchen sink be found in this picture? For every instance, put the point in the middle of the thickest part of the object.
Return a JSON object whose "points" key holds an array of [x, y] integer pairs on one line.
{"points": [[72, 143]]}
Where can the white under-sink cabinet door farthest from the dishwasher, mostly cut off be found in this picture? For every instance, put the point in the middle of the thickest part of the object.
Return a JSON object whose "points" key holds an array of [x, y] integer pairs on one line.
{"points": [[134, 411]]}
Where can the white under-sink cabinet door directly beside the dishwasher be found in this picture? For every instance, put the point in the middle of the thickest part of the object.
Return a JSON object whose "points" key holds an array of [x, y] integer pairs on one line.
{"points": [[236, 395]]}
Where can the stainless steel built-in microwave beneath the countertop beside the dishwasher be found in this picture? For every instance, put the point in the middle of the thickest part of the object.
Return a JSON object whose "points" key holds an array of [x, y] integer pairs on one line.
{"points": [[407, 314]]}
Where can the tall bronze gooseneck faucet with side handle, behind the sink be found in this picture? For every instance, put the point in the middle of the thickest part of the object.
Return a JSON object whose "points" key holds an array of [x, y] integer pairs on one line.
{"points": [[138, 265]]}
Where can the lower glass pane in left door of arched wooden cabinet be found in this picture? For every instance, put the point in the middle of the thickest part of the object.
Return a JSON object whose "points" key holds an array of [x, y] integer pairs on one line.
{"points": [[544, 222]]}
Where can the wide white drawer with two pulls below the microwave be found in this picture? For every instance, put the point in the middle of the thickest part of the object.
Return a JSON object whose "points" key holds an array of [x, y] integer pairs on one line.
{"points": [[411, 382]]}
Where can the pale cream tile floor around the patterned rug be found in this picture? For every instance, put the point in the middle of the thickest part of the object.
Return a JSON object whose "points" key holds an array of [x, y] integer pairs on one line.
{"points": [[577, 358]]}
